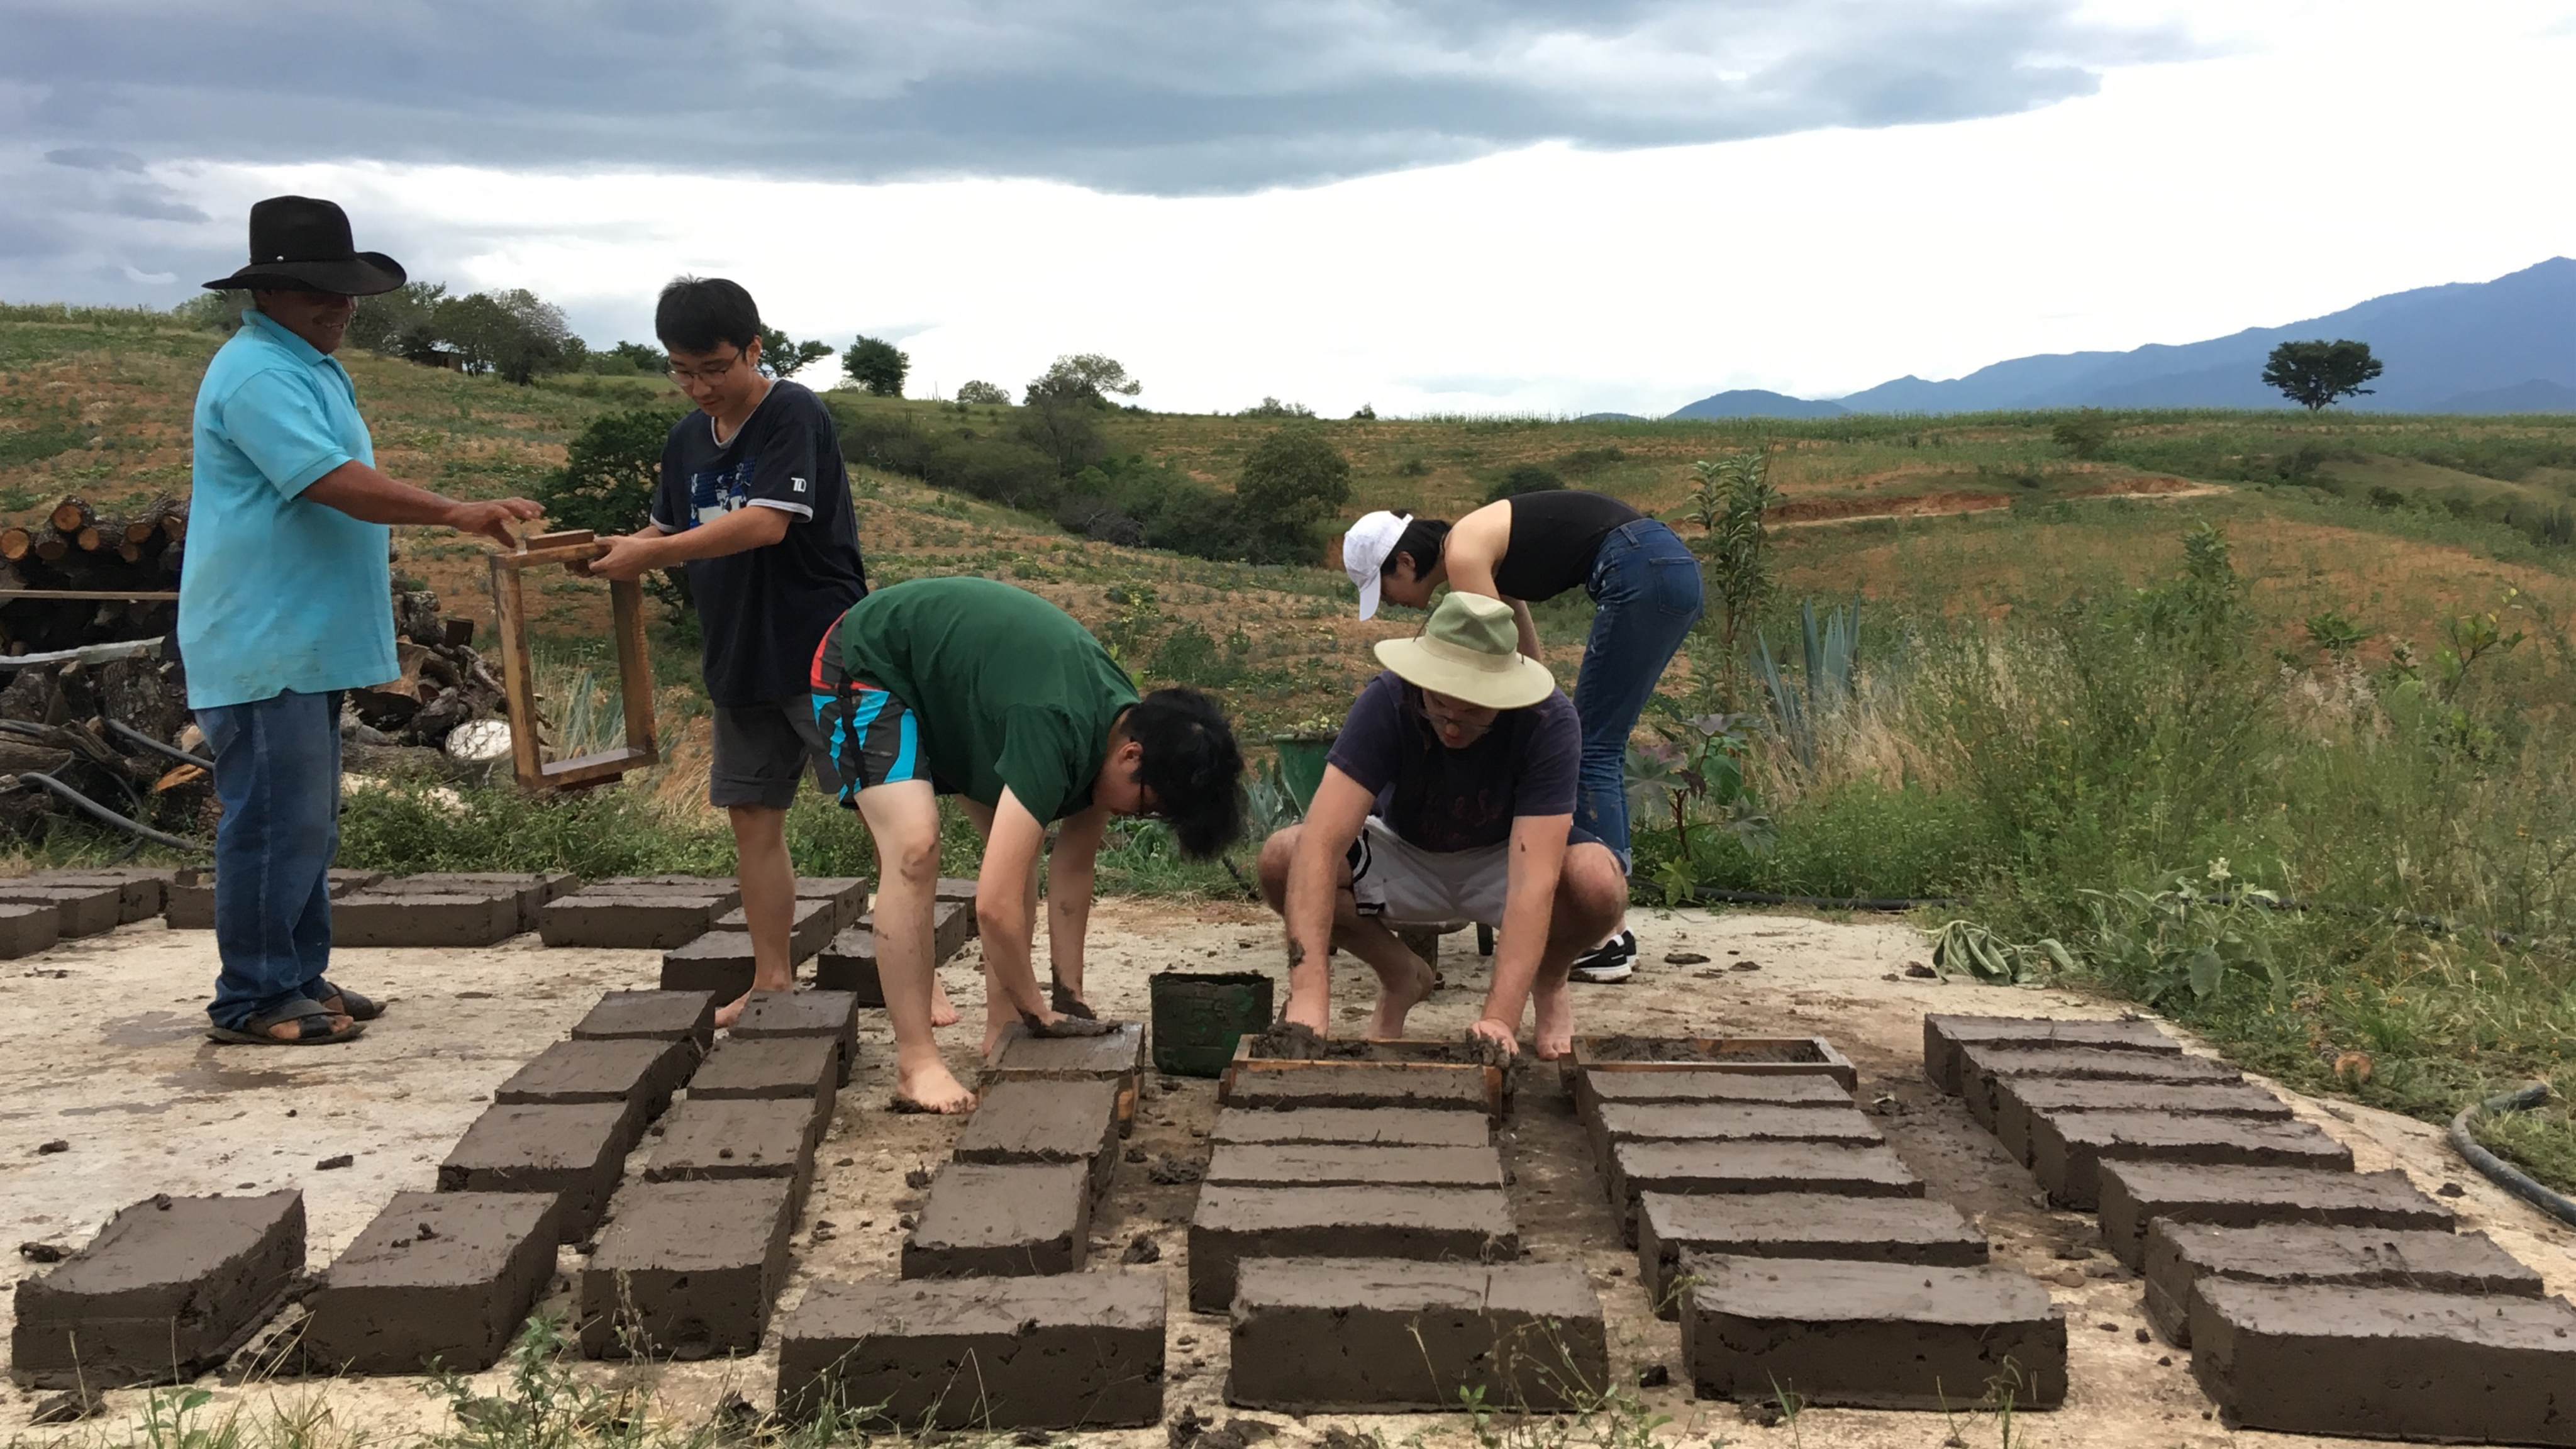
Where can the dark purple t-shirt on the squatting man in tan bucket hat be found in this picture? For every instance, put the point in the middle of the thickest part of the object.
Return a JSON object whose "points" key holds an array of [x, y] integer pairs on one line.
{"points": [[1459, 801]]}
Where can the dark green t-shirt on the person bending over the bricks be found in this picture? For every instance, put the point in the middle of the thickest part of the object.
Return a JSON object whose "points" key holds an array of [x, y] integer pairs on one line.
{"points": [[1009, 690]]}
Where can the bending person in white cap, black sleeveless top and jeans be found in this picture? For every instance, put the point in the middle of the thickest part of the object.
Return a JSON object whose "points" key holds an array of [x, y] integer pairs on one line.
{"points": [[1645, 587]]}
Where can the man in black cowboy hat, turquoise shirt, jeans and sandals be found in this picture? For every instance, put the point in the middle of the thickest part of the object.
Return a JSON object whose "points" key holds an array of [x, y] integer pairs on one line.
{"points": [[287, 602]]}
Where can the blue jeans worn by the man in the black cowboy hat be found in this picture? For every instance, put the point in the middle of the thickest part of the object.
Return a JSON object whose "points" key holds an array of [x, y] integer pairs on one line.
{"points": [[277, 770]]}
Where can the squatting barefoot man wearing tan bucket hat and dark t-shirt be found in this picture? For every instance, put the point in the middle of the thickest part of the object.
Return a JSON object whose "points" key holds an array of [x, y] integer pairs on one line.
{"points": [[1449, 798]]}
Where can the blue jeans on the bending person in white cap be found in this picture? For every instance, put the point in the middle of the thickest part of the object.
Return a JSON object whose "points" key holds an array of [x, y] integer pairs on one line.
{"points": [[1647, 597]]}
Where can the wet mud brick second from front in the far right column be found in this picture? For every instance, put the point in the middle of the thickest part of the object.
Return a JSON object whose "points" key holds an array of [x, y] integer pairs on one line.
{"points": [[2186, 1254]]}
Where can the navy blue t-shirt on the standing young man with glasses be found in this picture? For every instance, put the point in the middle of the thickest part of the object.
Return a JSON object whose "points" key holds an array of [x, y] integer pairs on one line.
{"points": [[766, 610]]}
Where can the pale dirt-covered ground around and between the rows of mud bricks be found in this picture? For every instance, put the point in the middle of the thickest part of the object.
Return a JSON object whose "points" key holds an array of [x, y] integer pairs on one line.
{"points": [[99, 1048]]}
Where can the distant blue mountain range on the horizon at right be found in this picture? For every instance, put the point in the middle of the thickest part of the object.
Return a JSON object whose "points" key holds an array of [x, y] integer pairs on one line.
{"points": [[2469, 347]]}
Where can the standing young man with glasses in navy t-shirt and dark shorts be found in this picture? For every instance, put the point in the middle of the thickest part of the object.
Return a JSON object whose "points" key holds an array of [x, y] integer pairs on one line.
{"points": [[756, 509]]}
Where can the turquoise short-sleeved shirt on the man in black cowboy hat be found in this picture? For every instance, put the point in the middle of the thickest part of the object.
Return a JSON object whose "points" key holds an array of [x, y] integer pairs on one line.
{"points": [[279, 592]]}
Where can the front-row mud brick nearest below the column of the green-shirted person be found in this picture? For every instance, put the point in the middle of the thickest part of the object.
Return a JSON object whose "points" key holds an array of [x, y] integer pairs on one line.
{"points": [[1075, 1352]]}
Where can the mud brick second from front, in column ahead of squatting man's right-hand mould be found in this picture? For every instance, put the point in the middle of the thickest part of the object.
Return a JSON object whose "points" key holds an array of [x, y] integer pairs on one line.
{"points": [[1797, 1226]]}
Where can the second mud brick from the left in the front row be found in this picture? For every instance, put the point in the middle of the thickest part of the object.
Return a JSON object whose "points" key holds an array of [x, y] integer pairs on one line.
{"points": [[439, 1278]]}
